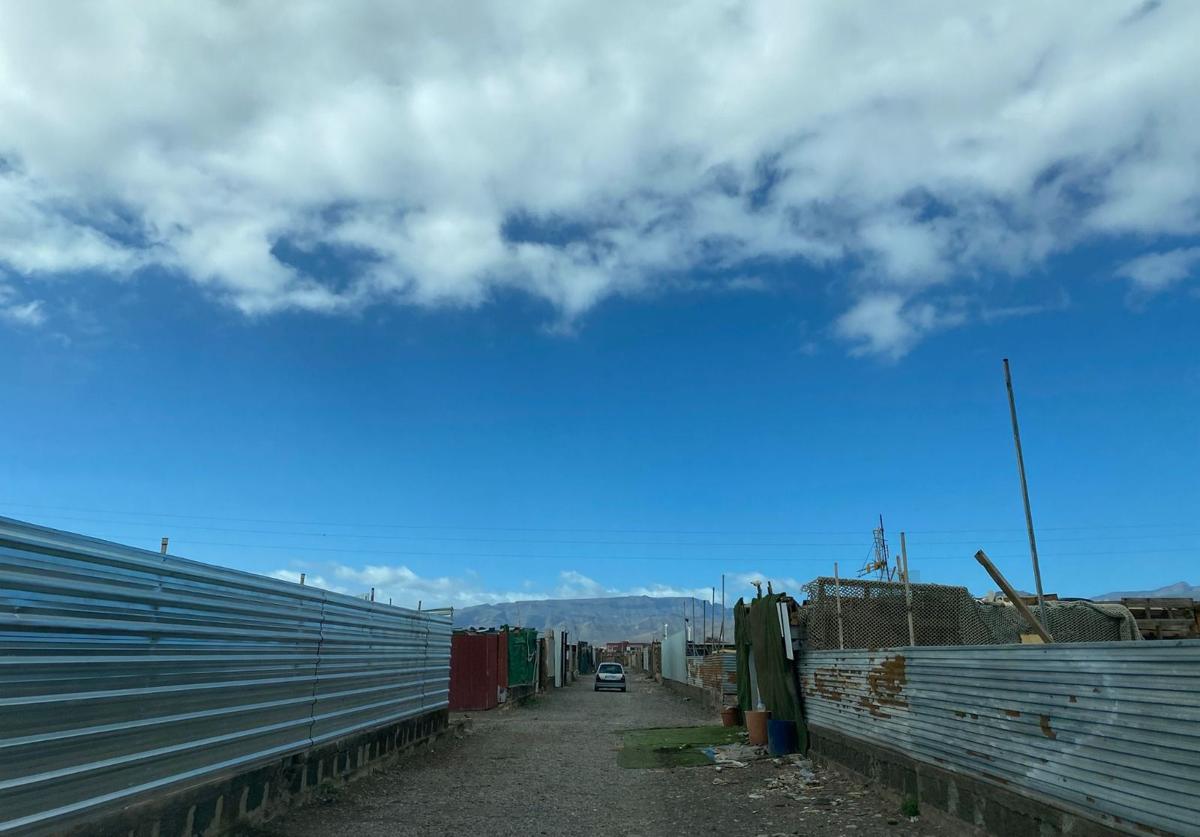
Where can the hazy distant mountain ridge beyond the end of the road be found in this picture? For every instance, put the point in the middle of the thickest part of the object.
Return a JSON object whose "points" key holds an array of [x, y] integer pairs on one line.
{"points": [[595, 621]]}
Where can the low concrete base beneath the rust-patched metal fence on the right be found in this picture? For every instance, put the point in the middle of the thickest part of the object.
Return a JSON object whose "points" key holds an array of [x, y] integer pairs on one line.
{"points": [[977, 802]]}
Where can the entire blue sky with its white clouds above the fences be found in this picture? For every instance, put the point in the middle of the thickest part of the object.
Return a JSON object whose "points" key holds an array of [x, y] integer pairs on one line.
{"points": [[565, 309]]}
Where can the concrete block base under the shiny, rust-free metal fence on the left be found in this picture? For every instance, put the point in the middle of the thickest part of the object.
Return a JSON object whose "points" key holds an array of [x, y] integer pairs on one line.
{"points": [[259, 794]]}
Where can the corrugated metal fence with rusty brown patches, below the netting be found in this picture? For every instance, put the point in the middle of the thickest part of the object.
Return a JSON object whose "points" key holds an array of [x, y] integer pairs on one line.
{"points": [[1112, 730]]}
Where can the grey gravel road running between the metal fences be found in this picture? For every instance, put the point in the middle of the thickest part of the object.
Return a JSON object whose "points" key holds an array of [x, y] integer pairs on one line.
{"points": [[550, 768]]}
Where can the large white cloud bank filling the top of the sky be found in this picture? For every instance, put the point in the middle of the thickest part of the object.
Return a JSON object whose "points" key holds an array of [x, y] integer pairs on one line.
{"points": [[578, 152]]}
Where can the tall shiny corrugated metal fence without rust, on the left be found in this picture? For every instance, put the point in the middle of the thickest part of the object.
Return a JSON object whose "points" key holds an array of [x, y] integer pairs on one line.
{"points": [[125, 673]]}
